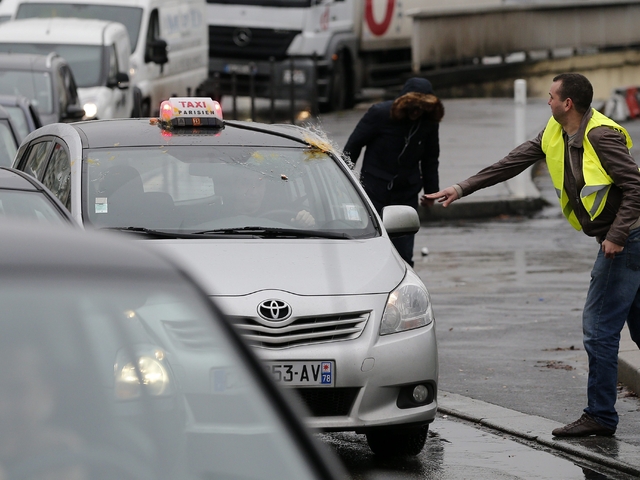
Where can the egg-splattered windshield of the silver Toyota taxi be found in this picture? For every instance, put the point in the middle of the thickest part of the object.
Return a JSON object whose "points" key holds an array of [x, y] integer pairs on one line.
{"points": [[190, 189]]}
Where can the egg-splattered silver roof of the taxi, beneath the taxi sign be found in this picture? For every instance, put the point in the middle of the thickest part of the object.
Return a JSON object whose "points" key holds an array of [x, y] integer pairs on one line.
{"points": [[142, 132]]}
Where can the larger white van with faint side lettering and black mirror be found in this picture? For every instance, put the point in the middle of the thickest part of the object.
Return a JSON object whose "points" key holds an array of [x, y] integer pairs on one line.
{"points": [[169, 42]]}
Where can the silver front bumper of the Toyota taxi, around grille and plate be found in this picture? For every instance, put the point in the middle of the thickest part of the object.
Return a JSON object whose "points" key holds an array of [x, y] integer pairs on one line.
{"points": [[373, 373]]}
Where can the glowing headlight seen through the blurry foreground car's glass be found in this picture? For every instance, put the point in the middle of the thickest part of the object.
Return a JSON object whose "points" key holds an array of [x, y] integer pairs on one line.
{"points": [[148, 372]]}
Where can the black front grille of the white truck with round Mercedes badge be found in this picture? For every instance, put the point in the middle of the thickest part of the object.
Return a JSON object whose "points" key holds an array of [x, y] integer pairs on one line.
{"points": [[264, 43]]}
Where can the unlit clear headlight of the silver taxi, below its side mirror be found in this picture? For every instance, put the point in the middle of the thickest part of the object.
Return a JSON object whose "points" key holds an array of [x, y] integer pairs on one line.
{"points": [[408, 307]]}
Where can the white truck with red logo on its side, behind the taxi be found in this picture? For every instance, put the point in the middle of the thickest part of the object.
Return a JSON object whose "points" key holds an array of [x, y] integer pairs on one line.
{"points": [[328, 48]]}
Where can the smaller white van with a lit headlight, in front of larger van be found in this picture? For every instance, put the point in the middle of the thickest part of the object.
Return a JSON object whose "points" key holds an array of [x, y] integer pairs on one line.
{"points": [[97, 51]]}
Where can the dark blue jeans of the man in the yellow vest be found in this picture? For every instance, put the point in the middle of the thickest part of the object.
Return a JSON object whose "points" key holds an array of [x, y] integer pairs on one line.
{"points": [[612, 300]]}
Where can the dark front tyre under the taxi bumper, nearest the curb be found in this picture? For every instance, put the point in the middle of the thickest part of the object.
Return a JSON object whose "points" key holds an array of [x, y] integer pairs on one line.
{"points": [[397, 442]]}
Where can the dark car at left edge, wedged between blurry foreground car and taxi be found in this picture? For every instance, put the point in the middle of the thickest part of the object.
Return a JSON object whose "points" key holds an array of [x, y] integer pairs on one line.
{"points": [[24, 197]]}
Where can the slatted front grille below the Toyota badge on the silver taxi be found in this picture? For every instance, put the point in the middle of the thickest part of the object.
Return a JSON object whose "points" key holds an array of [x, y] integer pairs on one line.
{"points": [[302, 330]]}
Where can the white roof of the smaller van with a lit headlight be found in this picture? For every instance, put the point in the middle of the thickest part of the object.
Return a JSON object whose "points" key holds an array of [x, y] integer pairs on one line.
{"points": [[59, 30]]}
